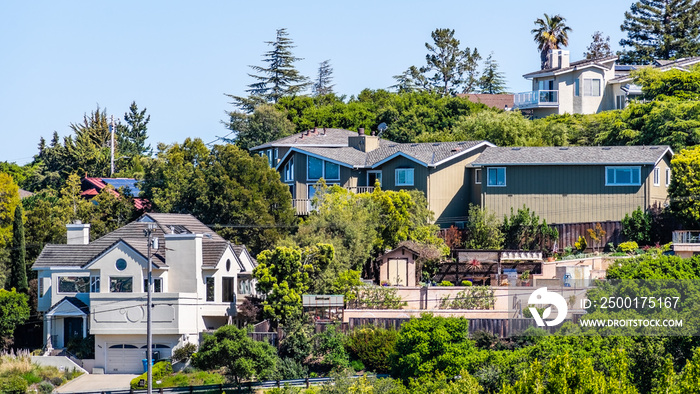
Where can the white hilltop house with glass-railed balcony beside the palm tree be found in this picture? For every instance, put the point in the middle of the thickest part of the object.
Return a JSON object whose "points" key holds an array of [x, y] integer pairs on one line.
{"points": [[586, 86]]}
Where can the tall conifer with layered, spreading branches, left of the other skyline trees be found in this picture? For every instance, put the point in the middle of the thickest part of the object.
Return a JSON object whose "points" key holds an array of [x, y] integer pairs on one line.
{"points": [[280, 78]]}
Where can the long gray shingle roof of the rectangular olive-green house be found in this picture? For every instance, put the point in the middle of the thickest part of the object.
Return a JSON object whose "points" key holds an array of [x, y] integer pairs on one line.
{"points": [[581, 155]]}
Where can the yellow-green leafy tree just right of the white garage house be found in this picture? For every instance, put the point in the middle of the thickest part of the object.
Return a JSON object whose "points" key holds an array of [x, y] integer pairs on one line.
{"points": [[284, 274]]}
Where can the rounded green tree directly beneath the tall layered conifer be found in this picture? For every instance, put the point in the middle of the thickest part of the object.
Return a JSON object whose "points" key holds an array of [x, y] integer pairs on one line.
{"points": [[265, 124]]}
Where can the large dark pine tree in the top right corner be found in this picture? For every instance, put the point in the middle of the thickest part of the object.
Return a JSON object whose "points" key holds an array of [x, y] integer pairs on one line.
{"points": [[661, 29]]}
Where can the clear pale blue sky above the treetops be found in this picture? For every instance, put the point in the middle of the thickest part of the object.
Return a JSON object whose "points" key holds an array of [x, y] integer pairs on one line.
{"points": [[177, 59]]}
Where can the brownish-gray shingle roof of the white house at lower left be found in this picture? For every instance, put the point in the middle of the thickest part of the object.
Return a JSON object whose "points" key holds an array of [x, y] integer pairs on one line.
{"points": [[133, 234]]}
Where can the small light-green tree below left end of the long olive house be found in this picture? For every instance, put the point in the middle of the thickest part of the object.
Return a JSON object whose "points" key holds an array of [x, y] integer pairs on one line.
{"points": [[482, 229]]}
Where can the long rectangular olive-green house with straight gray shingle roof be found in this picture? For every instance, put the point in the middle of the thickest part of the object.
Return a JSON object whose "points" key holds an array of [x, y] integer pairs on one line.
{"points": [[573, 184]]}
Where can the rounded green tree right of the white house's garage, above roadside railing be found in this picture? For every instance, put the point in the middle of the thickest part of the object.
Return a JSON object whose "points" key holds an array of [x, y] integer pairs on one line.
{"points": [[242, 357]]}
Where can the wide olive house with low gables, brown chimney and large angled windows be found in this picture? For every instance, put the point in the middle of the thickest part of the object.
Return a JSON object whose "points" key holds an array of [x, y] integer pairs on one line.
{"points": [[356, 161]]}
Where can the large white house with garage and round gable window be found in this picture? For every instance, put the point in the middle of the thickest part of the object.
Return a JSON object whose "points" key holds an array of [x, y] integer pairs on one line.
{"points": [[99, 287]]}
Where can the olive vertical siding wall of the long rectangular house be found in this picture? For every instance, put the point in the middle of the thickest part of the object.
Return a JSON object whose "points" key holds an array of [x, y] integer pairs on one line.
{"points": [[568, 194]]}
